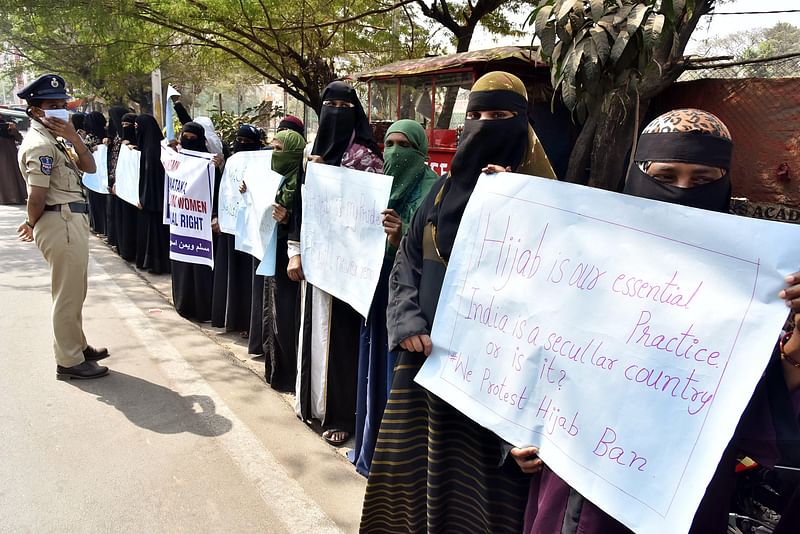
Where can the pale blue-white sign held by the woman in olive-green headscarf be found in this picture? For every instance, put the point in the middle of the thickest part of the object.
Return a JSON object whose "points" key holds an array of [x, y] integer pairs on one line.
{"points": [[256, 231]]}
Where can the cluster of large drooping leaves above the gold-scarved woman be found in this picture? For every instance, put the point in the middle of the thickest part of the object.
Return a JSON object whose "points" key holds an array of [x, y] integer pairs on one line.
{"points": [[597, 46]]}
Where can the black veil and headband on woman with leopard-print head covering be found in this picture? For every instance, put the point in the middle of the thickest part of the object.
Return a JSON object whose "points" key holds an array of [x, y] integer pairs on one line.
{"points": [[685, 147]]}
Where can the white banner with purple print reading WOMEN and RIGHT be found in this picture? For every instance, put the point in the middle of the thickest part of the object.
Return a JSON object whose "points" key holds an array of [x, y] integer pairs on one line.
{"points": [[187, 205]]}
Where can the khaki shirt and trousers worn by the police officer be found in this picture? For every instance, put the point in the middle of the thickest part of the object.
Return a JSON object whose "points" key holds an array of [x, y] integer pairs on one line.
{"points": [[62, 235]]}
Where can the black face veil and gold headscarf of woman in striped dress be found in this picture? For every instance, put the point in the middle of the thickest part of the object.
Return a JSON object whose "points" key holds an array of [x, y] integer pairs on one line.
{"points": [[501, 142]]}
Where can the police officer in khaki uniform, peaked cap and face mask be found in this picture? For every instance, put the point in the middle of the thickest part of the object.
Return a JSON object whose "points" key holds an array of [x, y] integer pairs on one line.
{"points": [[58, 219]]}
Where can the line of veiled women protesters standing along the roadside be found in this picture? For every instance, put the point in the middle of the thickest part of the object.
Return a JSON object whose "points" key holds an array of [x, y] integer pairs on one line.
{"points": [[429, 467]]}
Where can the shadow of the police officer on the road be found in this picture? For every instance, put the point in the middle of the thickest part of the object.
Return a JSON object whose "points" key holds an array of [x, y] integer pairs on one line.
{"points": [[156, 408]]}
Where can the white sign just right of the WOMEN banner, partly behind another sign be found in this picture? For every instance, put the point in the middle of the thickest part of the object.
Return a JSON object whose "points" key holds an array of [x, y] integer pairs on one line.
{"points": [[248, 166]]}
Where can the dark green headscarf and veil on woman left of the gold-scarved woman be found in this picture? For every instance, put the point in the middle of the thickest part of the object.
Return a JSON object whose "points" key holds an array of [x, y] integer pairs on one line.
{"points": [[413, 178]]}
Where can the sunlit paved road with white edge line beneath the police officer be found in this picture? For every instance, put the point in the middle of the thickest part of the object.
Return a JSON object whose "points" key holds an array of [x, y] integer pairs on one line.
{"points": [[180, 437]]}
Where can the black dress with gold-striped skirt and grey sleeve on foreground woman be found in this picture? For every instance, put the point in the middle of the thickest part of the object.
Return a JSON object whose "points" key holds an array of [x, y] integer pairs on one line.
{"points": [[434, 470]]}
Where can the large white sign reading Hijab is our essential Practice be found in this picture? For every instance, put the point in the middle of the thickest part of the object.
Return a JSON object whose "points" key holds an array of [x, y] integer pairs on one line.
{"points": [[622, 336]]}
